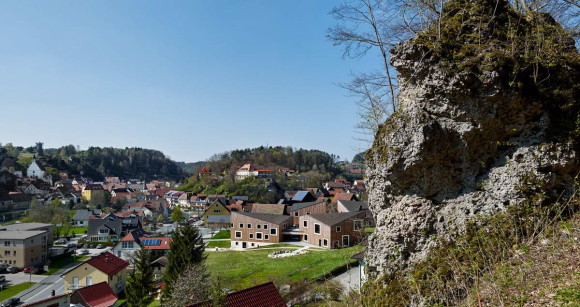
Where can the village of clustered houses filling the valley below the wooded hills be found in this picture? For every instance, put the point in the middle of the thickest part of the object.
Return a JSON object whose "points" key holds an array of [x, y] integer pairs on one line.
{"points": [[109, 221]]}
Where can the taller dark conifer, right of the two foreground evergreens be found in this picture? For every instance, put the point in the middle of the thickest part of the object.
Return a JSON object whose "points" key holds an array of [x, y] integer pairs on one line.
{"points": [[186, 249]]}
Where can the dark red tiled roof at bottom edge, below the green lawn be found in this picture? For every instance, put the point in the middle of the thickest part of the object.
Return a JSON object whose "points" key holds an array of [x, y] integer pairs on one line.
{"points": [[264, 295]]}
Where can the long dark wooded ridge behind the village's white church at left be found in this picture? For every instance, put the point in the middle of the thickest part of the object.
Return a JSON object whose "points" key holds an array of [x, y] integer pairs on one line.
{"points": [[97, 162]]}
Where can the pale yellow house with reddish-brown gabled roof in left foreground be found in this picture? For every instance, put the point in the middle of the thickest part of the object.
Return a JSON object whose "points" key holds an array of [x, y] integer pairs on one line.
{"points": [[105, 267]]}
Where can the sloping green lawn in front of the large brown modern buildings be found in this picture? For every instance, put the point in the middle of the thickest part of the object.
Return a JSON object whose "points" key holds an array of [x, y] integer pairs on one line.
{"points": [[241, 269]]}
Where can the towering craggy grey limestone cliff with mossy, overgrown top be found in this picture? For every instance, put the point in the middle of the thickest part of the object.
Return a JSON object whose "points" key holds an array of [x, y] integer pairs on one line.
{"points": [[477, 120]]}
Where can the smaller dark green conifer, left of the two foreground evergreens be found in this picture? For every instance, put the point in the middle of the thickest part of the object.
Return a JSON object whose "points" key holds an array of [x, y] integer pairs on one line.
{"points": [[140, 281]]}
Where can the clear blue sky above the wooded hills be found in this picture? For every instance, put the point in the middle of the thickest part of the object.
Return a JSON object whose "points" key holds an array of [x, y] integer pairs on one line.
{"points": [[189, 78]]}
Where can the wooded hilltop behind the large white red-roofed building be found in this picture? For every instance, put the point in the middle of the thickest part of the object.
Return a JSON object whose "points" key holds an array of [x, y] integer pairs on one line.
{"points": [[300, 160]]}
